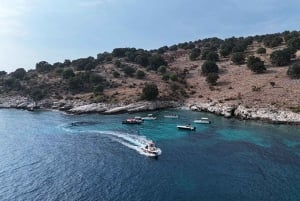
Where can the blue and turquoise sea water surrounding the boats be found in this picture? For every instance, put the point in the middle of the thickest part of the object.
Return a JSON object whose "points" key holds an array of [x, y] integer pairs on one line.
{"points": [[54, 156]]}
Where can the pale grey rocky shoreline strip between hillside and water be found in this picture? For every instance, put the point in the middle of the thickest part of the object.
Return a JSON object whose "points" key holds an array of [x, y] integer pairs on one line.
{"points": [[269, 114]]}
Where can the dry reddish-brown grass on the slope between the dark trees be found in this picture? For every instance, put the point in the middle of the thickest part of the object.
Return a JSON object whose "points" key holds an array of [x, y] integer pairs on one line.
{"points": [[237, 84]]}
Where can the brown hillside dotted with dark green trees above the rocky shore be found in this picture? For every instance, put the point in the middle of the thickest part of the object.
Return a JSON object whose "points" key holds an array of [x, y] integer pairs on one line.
{"points": [[177, 71]]}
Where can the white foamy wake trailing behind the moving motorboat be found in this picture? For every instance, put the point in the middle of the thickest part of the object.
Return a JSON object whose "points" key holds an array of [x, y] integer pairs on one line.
{"points": [[135, 142]]}
